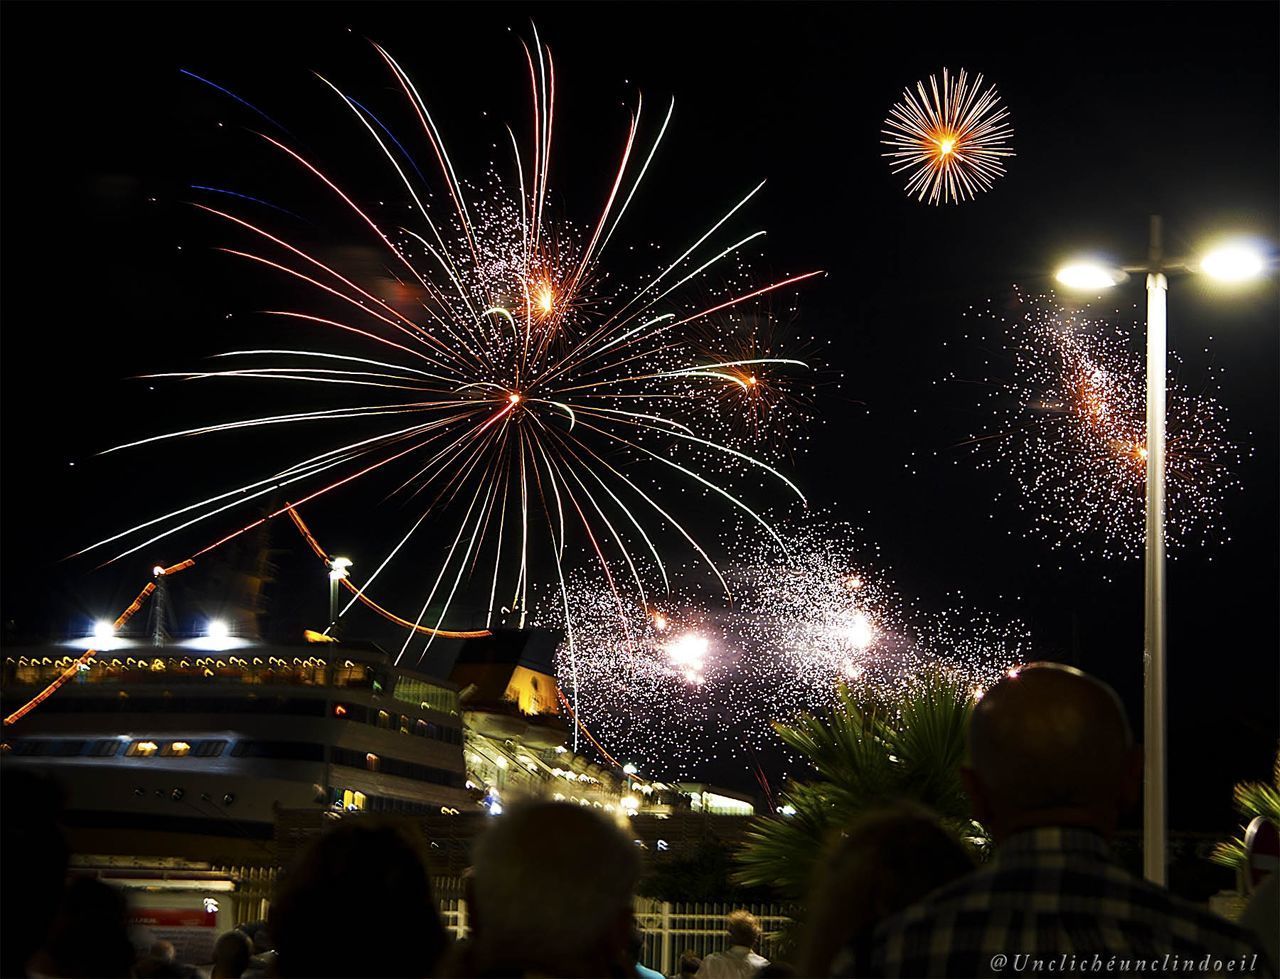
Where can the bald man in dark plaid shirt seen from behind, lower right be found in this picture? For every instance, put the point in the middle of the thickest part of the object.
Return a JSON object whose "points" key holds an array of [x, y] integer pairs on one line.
{"points": [[1053, 765]]}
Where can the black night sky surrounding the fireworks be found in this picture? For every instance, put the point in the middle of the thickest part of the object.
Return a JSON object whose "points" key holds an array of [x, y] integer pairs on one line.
{"points": [[1121, 111]]}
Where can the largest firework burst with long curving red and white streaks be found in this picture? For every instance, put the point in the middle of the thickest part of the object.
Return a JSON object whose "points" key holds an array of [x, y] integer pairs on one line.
{"points": [[510, 382]]}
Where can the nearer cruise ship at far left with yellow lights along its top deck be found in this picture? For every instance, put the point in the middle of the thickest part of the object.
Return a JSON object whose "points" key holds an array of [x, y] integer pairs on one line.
{"points": [[194, 748]]}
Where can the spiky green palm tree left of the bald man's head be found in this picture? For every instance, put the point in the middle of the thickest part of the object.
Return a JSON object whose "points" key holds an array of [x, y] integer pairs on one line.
{"points": [[867, 752]]}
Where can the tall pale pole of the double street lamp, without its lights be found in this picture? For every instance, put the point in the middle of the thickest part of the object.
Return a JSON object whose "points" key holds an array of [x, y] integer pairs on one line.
{"points": [[1154, 647]]}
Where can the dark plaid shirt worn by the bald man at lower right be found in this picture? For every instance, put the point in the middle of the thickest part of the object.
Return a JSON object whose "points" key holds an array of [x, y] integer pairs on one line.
{"points": [[1054, 903]]}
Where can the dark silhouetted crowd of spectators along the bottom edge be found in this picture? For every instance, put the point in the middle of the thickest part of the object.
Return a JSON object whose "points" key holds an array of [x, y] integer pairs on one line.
{"points": [[1052, 767]]}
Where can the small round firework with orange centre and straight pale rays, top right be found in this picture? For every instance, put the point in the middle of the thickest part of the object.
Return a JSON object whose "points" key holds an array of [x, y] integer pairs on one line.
{"points": [[950, 141]]}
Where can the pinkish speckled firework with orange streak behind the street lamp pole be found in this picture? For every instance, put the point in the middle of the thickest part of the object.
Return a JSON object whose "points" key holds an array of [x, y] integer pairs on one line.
{"points": [[1071, 426]]}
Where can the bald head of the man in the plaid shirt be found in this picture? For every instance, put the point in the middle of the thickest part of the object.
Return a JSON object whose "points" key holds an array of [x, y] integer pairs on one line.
{"points": [[1050, 745]]}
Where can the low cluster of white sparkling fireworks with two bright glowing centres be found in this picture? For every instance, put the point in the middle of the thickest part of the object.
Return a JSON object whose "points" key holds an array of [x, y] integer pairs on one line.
{"points": [[693, 683]]}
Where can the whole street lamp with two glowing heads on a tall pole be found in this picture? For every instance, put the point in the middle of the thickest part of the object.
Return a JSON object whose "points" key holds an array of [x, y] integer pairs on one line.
{"points": [[1232, 263]]}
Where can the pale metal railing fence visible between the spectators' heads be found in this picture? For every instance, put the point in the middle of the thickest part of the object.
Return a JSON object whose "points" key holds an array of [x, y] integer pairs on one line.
{"points": [[671, 928]]}
